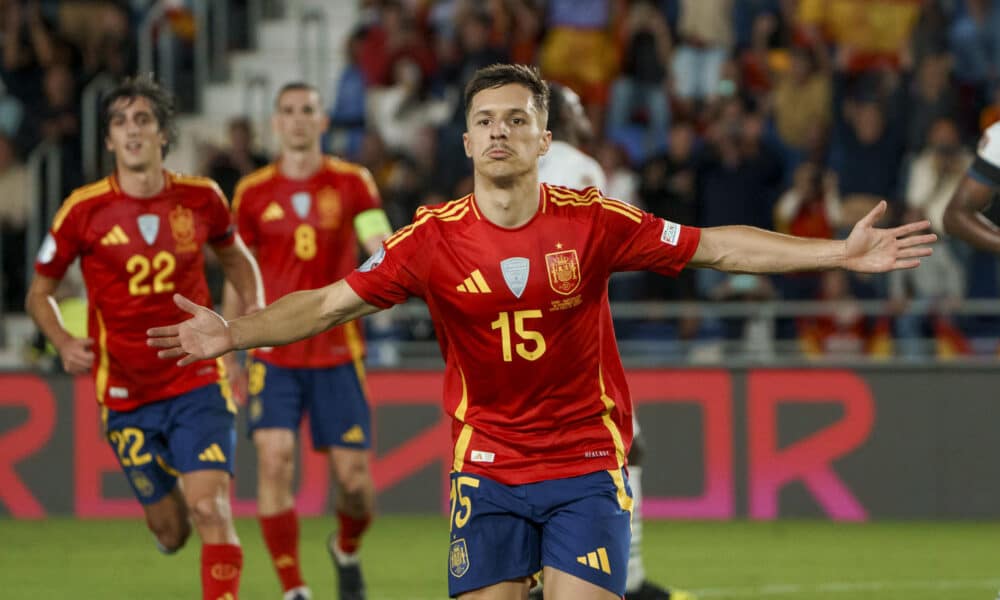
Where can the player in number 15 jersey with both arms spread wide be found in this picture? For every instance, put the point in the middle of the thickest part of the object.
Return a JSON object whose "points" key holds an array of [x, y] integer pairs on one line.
{"points": [[515, 277]]}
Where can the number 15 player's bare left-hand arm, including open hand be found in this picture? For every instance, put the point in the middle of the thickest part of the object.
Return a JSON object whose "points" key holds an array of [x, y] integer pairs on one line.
{"points": [[291, 318]]}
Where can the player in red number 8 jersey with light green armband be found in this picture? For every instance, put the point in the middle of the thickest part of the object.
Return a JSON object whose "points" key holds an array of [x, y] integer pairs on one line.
{"points": [[302, 217]]}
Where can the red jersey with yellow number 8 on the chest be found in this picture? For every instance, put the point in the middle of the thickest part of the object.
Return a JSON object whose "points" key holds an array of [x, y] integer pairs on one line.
{"points": [[303, 234]]}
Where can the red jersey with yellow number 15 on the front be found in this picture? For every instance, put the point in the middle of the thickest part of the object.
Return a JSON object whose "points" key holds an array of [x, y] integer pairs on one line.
{"points": [[533, 378]]}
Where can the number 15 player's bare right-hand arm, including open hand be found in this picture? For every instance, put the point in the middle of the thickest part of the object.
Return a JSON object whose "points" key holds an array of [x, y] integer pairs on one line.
{"points": [[868, 249]]}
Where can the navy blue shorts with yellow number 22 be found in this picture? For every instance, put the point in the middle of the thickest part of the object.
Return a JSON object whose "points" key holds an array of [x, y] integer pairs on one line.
{"points": [[157, 442]]}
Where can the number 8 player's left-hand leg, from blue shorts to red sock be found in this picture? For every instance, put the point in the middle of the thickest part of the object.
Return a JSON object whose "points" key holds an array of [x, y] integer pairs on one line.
{"points": [[275, 412]]}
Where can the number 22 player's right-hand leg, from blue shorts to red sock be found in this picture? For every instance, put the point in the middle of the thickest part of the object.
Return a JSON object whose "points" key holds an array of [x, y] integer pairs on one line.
{"points": [[202, 443]]}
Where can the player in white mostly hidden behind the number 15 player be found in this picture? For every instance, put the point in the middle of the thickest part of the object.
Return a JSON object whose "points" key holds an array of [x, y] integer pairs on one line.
{"points": [[566, 165]]}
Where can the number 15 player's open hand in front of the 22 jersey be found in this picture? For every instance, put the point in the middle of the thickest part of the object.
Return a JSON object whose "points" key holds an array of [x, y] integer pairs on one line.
{"points": [[205, 335]]}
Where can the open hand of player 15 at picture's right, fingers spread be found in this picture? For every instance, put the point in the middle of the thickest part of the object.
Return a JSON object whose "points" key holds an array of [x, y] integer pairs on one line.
{"points": [[873, 250]]}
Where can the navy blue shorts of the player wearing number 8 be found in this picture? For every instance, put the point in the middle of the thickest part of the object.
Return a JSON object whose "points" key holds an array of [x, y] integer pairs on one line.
{"points": [[333, 397]]}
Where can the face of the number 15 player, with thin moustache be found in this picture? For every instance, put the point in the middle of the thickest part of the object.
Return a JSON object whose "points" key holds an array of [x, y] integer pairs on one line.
{"points": [[505, 135]]}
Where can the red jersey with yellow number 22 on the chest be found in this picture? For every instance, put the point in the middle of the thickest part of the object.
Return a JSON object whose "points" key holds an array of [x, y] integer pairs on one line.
{"points": [[135, 253]]}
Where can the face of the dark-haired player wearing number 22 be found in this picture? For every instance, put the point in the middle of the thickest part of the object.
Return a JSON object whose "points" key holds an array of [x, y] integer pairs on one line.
{"points": [[134, 135]]}
